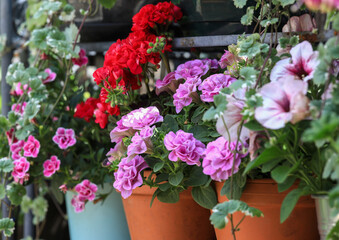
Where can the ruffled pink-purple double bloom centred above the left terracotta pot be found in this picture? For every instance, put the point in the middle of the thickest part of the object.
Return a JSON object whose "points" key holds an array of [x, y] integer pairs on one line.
{"points": [[184, 146]]}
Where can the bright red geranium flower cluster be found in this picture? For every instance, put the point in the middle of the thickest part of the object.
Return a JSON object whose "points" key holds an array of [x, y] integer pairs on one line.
{"points": [[126, 60]]}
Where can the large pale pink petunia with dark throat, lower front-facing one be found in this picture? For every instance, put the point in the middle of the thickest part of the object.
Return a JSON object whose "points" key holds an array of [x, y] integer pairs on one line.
{"points": [[283, 102]]}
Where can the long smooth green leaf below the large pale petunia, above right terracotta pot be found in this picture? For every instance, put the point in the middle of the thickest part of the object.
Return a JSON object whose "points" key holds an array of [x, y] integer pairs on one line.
{"points": [[267, 155]]}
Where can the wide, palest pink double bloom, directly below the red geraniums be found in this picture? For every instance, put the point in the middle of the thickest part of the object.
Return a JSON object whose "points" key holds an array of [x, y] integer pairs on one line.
{"points": [[134, 121]]}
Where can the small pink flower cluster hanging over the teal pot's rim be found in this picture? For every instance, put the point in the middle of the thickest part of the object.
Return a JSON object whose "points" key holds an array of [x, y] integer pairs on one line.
{"points": [[85, 192]]}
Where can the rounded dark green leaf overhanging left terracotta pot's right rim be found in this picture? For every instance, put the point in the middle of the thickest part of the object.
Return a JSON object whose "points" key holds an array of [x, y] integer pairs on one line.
{"points": [[205, 196]]}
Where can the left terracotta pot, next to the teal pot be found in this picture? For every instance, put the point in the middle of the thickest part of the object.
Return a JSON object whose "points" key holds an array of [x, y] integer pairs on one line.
{"points": [[184, 220]]}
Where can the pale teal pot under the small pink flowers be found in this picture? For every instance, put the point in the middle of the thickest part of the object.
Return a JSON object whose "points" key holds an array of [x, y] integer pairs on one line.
{"points": [[103, 220]]}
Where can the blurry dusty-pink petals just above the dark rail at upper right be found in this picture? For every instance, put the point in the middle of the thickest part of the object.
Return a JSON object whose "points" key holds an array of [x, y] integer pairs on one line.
{"points": [[304, 23]]}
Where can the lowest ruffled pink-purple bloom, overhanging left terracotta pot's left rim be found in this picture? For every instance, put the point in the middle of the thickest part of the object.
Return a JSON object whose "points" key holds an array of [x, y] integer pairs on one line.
{"points": [[128, 176]]}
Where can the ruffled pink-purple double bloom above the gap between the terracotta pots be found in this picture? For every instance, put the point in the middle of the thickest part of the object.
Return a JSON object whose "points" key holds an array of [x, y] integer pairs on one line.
{"points": [[218, 159]]}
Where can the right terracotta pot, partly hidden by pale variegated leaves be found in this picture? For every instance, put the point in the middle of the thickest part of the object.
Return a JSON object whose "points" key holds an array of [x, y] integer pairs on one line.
{"points": [[263, 194]]}
